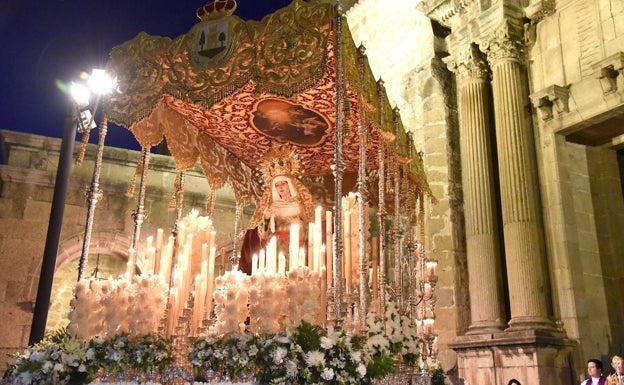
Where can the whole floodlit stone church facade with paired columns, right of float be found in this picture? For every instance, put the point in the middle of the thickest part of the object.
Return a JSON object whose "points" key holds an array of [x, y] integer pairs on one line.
{"points": [[521, 127]]}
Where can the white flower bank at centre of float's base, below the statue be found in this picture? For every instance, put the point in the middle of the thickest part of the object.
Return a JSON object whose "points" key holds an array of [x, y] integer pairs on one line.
{"points": [[307, 354]]}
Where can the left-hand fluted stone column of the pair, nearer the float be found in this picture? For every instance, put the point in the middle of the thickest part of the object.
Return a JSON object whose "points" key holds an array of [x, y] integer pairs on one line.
{"points": [[482, 243]]}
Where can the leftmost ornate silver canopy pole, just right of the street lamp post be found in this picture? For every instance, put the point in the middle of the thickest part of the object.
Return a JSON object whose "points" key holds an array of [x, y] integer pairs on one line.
{"points": [[93, 195]]}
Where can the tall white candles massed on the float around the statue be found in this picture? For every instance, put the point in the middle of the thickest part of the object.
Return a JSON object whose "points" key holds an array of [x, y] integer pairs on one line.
{"points": [[176, 262]]}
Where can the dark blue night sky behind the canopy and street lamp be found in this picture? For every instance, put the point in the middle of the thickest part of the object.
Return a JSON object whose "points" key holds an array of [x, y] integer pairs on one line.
{"points": [[45, 41]]}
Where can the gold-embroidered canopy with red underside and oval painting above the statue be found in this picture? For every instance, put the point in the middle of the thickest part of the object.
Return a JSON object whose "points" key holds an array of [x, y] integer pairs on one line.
{"points": [[227, 91]]}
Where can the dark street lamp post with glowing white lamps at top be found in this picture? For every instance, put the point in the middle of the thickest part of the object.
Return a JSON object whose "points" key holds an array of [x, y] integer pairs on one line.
{"points": [[76, 116]]}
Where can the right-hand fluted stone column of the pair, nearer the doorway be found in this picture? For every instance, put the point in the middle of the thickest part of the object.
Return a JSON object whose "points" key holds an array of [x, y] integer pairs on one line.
{"points": [[524, 248]]}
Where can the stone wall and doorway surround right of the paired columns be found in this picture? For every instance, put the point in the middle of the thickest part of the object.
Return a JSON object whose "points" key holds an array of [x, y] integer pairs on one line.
{"points": [[574, 58]]}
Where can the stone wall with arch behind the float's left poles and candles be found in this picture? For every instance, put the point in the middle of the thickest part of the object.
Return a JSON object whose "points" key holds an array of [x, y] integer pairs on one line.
{"points": [[27, 179]]}
